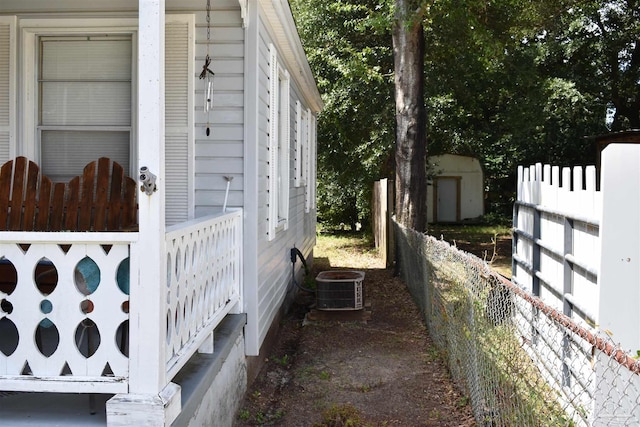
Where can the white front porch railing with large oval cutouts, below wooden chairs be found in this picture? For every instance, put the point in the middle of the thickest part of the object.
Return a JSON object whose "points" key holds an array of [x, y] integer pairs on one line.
{"points": [[64, 311]]}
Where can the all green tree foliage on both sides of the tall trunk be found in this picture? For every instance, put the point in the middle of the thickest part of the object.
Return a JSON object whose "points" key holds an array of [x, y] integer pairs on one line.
{"points": [[511, 82]]}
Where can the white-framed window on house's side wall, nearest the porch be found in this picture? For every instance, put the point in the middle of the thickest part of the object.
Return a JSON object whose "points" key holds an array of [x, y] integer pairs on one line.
{"points": [[278, 145]]}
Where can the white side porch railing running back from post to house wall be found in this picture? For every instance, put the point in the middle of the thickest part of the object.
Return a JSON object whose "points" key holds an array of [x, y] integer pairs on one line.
{"points": [[204, 282]]}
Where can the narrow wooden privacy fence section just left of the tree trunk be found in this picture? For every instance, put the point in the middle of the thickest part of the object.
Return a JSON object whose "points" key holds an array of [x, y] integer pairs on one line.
{"points": [[381, 213]]}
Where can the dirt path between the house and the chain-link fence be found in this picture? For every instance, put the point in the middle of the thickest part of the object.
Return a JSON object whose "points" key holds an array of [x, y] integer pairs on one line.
{"points": [[382, 372]]}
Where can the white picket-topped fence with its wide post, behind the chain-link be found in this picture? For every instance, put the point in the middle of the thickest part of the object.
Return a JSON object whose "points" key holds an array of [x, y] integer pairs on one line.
{"points": [[576, 249]]}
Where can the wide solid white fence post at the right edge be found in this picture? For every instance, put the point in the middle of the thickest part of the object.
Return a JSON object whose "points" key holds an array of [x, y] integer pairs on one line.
{"points": [[619, 280]]}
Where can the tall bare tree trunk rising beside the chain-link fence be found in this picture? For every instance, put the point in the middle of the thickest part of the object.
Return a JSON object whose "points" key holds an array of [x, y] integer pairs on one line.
{"points": [[411, 116]]}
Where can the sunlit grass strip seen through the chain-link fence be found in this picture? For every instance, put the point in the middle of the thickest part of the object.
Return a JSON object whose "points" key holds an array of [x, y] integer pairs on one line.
{"points": [[493, 357]]}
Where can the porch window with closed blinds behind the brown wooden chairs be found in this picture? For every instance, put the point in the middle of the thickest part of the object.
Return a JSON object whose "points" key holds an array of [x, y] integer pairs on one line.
{"points": [[84, 102]]}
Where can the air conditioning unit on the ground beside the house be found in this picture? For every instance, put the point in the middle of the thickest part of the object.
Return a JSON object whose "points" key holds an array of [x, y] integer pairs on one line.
{"points": [[340, 290]]}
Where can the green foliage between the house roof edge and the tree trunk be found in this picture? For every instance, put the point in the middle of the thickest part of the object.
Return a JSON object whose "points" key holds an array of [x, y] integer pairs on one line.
{"points": [[349, 50]]}
